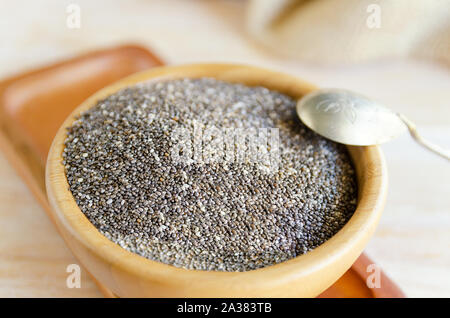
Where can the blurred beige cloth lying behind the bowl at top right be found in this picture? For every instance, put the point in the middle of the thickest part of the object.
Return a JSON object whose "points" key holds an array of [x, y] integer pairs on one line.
{"points": [[346, 31]]}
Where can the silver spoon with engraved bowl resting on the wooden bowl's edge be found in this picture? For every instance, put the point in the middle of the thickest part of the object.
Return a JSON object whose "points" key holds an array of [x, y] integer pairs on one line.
{"points": [[350, 118]]}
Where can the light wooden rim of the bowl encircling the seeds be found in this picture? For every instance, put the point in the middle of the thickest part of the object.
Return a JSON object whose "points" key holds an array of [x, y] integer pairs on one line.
{"points": [[349, 240]]}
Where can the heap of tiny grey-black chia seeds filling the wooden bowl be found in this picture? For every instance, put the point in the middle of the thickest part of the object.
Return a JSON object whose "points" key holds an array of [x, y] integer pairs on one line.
{"points": [[224, 216]]}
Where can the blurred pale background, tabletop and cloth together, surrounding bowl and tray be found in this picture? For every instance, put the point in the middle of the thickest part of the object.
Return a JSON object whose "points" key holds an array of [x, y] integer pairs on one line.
{"points": [[397, 52]]}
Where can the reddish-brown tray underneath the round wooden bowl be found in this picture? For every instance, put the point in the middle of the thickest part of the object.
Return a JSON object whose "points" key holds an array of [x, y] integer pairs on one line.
{"points": [[33, 106]]}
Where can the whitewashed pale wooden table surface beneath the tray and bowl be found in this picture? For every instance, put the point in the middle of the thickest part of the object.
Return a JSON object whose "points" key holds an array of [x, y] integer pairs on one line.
{"points": [[412, 243]]}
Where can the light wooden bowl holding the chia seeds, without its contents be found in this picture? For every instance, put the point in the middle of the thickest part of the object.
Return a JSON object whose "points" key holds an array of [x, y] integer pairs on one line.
{"points": [[128, 275]]}
